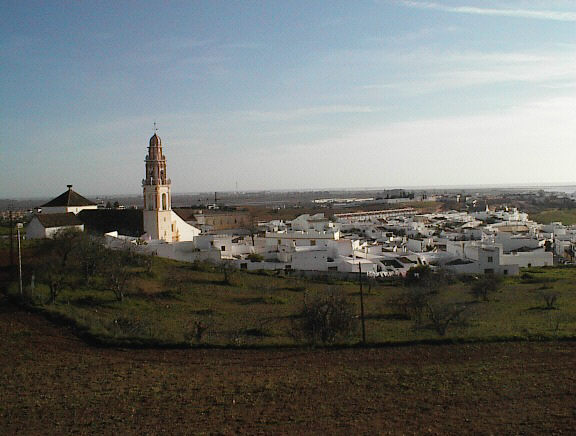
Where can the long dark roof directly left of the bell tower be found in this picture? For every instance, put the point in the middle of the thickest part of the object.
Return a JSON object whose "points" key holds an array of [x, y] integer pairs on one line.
{"points": [[129, 222]]}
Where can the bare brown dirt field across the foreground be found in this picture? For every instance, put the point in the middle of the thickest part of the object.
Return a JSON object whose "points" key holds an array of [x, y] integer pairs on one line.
{"points": [[52, 383]]}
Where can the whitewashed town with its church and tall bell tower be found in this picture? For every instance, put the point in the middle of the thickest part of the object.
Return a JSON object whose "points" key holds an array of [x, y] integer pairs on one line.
{"points": [[377, 243]]}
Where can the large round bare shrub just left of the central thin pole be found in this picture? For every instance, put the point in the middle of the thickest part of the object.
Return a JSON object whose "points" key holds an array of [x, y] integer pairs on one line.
{"points": [[325, 319]]}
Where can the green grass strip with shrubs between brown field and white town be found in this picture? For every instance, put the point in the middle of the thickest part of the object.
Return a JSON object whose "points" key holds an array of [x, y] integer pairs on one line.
{"points": [[163, 308]]}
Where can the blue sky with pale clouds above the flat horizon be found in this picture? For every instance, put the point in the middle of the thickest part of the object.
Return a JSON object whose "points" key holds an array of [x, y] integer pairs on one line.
{"points": [[262, 95]]}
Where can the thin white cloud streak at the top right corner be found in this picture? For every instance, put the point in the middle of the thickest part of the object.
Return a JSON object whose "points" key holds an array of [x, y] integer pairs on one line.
{"points": [[518, 13]]}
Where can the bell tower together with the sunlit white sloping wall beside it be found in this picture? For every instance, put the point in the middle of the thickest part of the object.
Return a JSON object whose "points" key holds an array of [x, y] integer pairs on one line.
{"points": [[160, 221]]}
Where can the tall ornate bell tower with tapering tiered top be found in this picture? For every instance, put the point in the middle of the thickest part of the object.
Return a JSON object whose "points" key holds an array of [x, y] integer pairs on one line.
{"points": [[157, 197]]}
